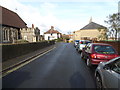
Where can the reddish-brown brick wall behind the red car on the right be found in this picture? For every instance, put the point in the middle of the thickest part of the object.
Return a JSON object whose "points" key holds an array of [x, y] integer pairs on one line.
{"points": [[115, 44]]}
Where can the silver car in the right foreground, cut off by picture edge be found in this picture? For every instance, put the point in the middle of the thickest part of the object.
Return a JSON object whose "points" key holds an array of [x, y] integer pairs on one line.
{"points": [[107, 74]]}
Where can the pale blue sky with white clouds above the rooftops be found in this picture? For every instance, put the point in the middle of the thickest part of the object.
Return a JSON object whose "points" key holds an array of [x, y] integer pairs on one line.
{"points": [[65, 15]]}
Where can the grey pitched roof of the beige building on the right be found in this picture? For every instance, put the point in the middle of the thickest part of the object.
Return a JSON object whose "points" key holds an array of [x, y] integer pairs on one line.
{"points": [[92, 25]]}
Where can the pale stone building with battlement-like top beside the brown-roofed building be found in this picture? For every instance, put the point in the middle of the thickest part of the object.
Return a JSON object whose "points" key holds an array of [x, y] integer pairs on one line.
{"points": [[30, 34]]}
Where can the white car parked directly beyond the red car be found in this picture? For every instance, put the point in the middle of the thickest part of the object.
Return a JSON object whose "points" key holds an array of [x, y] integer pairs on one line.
{"points": [[81, 45]]}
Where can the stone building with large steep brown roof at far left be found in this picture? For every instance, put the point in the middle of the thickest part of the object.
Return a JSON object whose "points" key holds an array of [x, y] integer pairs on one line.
{"points": [[10, 25]]}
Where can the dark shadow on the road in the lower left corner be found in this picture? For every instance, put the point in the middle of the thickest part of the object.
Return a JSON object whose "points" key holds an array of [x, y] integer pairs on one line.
{"points": [[15, 79]]}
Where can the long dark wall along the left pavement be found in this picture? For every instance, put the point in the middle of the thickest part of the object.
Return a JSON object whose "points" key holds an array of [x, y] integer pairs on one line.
{"points": [[14, 50]]}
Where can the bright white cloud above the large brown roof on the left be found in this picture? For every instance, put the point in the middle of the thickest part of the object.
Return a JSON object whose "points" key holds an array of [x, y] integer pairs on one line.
{"points": [[32, 15]]}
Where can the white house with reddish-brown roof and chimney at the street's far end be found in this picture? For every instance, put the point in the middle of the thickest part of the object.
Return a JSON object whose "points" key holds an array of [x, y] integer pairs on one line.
{"points": [[52, 34]]}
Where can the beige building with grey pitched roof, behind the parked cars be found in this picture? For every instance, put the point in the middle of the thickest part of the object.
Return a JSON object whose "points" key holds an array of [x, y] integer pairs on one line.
{"points": [[91, 31]]}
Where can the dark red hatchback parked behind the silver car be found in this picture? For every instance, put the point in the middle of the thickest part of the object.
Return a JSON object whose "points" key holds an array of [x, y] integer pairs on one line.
{"points": [[94, 53]]}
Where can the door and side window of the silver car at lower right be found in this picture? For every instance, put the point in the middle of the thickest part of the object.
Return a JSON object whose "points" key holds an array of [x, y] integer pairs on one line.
{"points": [[111, 76]]}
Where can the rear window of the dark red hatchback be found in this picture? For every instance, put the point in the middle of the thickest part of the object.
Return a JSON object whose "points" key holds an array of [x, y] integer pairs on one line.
{"points": [[102, 49]]}
